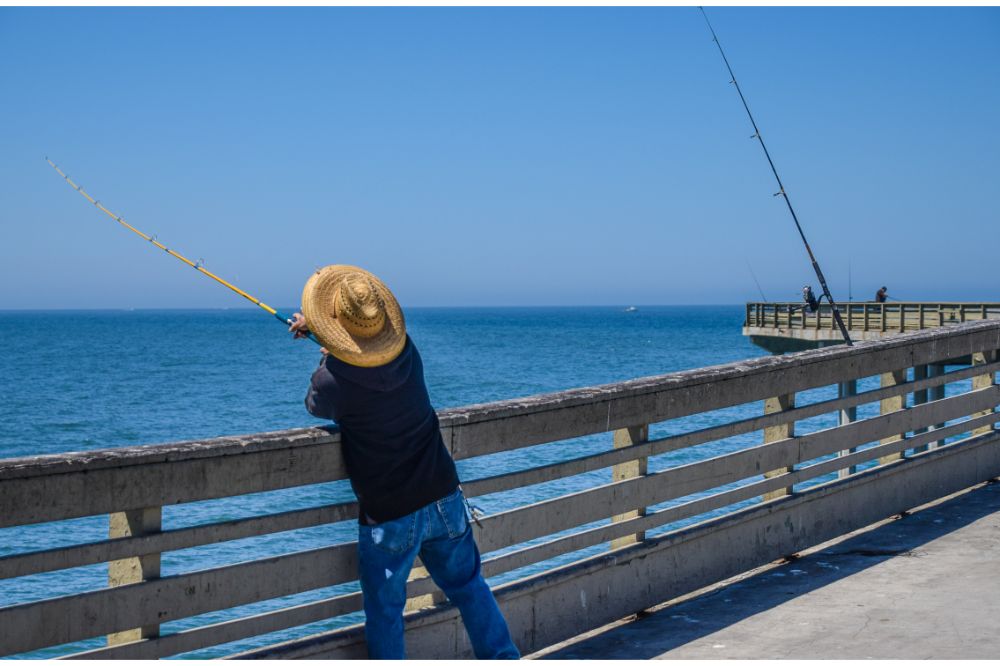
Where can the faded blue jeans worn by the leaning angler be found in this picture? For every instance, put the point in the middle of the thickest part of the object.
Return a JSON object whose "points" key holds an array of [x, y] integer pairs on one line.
{"points": [[441, 534]]}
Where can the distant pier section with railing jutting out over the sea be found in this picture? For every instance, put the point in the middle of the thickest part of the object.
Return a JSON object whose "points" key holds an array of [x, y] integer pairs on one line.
{"points": [[791, 327]]}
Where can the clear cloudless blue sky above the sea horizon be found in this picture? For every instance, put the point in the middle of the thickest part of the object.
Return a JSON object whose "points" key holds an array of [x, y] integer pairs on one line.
{"points": [[518, 156]]}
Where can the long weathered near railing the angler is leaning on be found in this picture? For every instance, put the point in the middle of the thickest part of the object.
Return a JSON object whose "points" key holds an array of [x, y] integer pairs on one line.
{"points": [[748, 490]]}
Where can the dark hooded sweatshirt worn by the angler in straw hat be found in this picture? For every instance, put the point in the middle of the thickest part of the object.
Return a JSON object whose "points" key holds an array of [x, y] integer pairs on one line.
{"points": [[393, 450]]}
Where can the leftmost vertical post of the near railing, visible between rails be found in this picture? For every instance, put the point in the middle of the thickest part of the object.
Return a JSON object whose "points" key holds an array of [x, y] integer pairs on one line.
{"points": [[138, 522]]}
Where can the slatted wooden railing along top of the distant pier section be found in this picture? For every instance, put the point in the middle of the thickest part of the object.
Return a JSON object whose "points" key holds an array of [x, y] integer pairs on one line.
{"points": [[893, 317]]}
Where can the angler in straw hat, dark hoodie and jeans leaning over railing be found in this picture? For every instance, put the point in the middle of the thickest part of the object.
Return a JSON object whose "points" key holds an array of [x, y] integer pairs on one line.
{"points": [[371, 382]]}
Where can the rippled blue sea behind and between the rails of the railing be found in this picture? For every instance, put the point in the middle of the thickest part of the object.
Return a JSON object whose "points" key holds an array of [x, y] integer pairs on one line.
{"points": [[79, 380]]}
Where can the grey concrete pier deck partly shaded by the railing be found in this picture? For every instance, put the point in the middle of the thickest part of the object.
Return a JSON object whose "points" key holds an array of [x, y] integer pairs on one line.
{"points": [[923, 586]]}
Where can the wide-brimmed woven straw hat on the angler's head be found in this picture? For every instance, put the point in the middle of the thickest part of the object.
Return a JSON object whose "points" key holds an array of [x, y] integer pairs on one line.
{"points": [[354, 315]]}
